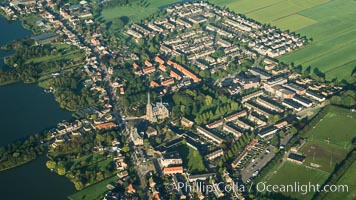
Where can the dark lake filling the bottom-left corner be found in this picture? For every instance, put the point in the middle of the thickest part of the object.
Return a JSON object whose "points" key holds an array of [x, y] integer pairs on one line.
{"points": [[34, 181]]}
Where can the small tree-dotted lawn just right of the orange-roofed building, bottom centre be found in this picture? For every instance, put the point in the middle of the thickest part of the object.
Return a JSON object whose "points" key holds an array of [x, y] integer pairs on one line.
{"points": [[192, 160]]}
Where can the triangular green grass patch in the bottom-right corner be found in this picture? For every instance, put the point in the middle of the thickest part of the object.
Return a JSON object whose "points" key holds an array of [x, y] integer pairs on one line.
{"points": [[347, 179]]}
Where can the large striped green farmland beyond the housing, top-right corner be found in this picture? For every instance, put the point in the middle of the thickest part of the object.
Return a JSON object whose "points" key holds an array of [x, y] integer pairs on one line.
{"points": [[331, 24]]}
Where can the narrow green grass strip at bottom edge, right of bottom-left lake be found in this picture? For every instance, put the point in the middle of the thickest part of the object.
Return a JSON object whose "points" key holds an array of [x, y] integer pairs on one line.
{"points": [[94, 191]]}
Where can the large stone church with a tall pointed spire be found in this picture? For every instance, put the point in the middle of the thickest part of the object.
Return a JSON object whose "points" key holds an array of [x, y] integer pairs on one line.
{"points": [[156, 112]]}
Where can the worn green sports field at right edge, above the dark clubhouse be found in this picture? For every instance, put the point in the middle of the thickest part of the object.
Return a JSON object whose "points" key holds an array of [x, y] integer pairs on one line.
{"points": [[330, 140]]}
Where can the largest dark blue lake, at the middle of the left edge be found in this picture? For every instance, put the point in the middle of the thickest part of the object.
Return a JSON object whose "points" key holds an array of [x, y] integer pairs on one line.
{"points": [[26, 109]]}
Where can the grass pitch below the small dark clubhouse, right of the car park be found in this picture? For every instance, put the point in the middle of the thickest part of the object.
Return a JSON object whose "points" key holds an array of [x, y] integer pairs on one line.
{"points": [[291, 173]]}
